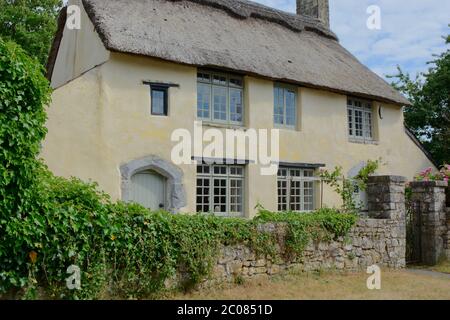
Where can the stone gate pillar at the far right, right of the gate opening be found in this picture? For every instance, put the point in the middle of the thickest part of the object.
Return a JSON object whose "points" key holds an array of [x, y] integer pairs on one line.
{"points": [[428, 201]]}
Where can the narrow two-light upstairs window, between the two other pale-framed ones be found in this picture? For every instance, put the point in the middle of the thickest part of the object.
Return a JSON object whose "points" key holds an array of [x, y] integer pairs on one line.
{"points": [[285, 106]]}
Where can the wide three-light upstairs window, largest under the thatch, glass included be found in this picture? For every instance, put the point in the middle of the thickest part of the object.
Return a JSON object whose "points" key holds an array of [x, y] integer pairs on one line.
{"points": [[220, 98]]}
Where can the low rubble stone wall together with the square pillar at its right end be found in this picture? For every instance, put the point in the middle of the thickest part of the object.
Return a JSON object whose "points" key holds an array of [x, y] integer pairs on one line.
{"points": [[379, 240]]}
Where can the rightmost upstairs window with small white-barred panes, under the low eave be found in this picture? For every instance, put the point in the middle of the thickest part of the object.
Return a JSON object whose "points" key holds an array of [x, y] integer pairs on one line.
{"points": [[360, 126]]}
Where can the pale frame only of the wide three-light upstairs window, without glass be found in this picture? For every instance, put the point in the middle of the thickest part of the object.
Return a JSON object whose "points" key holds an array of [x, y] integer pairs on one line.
{"points": [[229, 86]]}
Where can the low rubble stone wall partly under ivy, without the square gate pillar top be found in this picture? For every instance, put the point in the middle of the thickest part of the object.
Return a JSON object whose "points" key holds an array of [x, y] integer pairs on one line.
{"points": [[371, 241]]}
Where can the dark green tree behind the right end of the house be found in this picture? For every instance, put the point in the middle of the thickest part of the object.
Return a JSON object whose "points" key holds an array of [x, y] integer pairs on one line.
{"points": [[429, 115]]}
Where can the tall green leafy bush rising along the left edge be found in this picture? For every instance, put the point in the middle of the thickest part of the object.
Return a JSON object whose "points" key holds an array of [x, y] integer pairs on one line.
{"points": [[24, 92]]}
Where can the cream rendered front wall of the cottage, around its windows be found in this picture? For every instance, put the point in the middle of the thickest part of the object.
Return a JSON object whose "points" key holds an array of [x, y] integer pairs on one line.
{"points": [[101, 120]]}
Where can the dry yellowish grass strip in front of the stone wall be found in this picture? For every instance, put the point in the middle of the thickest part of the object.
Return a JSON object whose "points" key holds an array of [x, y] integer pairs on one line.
{"points": [[395, 285]]}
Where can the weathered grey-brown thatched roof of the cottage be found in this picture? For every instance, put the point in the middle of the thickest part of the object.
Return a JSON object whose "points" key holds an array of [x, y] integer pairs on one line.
{"points": [[237, 35]]}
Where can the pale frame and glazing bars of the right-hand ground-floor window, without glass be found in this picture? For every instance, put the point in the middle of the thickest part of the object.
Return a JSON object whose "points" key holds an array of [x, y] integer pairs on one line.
{"points": [[289, 179]]}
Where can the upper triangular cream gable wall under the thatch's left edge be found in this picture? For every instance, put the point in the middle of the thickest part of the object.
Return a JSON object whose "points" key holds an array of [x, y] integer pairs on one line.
{"points": [[79, 51]]}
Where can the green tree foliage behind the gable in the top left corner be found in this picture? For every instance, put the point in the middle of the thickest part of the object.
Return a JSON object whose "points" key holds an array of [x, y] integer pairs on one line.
{"points": [[31, 24]]}
